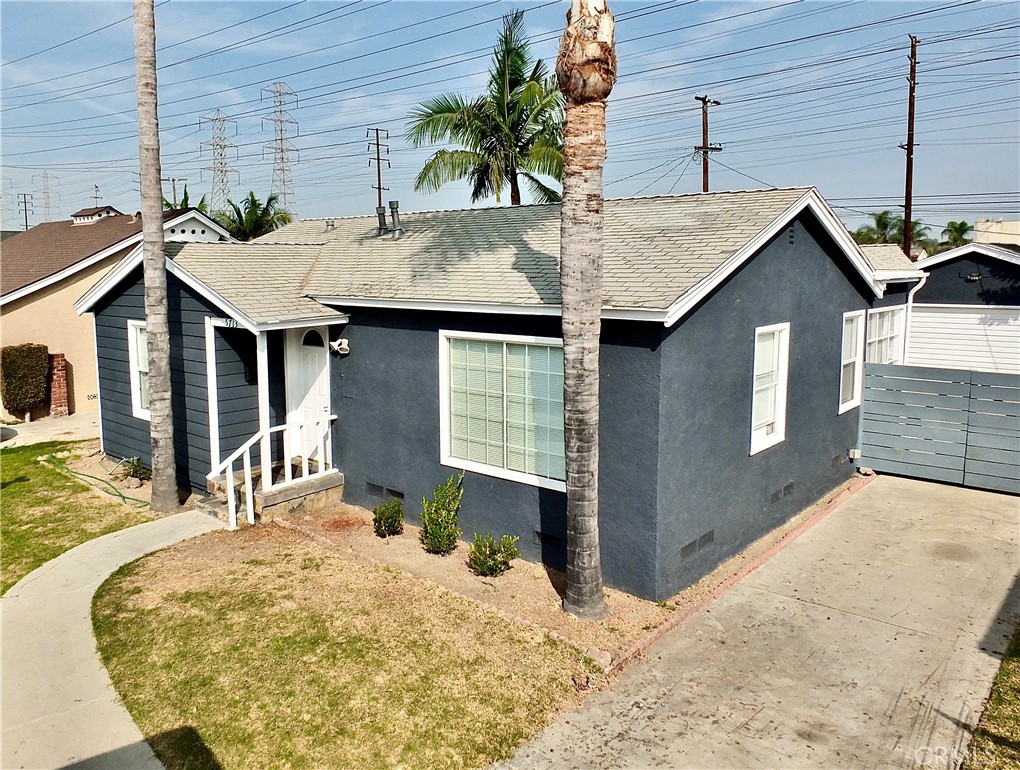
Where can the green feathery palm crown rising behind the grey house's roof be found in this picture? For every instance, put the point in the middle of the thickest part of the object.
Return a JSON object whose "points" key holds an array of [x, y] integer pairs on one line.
{"points": [[515, 130]]}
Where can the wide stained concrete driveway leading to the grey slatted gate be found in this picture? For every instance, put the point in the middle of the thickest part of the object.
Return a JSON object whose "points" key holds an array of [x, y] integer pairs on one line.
{"points": [[870, 642]]}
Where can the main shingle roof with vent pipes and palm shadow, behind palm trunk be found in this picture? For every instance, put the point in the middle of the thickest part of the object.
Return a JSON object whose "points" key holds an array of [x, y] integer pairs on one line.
{"points": [[656, 249]]}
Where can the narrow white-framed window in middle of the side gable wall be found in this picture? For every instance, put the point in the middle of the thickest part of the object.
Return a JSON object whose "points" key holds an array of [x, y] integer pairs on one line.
{"points": [[769, 406]]}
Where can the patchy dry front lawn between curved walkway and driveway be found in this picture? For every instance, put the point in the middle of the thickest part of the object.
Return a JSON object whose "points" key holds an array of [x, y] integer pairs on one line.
{"points": [[280, 654]]}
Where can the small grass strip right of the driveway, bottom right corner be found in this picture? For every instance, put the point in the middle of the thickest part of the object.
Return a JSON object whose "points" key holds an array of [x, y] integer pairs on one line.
{"points": [[997, 740]]}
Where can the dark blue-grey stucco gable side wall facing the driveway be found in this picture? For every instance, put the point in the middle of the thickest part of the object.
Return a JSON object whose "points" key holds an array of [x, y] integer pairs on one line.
{"points": [[710, 489]]}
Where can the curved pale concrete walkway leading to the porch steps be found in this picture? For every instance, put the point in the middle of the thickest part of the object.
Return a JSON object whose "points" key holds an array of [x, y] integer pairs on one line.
{"points": [[60, 707]]}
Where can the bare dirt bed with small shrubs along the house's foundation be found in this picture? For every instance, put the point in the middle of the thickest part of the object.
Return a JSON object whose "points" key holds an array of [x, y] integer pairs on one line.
{"points": [[530, 594]]}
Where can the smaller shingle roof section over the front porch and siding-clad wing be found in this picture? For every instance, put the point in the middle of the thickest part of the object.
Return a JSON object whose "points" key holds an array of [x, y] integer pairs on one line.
{"points": [[264, 281]]}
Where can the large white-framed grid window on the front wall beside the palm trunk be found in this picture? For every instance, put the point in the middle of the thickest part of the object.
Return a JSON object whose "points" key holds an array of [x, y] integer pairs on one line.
{"points": [[502, 406]]}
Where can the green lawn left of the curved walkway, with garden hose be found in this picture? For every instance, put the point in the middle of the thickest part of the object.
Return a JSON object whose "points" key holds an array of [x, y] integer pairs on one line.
{"points": [[47, 512]]}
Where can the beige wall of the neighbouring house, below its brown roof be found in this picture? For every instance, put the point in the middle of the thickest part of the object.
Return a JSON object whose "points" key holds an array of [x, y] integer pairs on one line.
{"points": [[48, 318]]}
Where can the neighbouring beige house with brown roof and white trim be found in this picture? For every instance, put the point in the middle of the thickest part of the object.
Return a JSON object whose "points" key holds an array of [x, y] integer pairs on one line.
{"points": [[44, 271]]}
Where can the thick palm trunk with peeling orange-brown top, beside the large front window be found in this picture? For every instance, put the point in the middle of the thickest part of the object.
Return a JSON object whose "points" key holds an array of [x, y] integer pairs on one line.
{"points": [[586, 70]]}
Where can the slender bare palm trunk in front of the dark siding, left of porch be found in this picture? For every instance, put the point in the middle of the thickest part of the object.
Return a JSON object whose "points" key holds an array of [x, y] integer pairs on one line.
{"points": [[165, 483]]}
